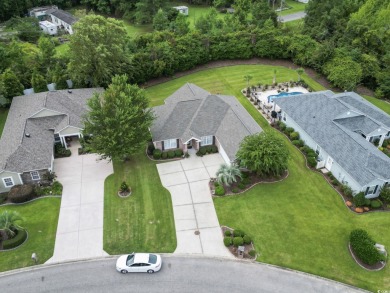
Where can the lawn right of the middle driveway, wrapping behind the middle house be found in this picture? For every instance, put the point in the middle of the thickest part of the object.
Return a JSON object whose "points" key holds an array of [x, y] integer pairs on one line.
{"points": [[301, 222]]}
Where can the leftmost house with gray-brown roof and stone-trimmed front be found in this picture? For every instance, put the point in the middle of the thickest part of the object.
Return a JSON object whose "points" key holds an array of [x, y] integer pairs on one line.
{"points": [[33, 125]]}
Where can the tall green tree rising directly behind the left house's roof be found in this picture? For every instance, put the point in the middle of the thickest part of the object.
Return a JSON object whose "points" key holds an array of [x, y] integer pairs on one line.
{"points": [[97, 50]]}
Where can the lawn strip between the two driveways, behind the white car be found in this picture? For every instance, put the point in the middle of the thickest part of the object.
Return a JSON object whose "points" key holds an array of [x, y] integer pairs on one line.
{"points": [[144, 221]]}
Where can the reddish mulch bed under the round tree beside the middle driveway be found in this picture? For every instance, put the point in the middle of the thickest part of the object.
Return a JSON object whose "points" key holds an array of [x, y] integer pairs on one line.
{"points": [[251, 180]]}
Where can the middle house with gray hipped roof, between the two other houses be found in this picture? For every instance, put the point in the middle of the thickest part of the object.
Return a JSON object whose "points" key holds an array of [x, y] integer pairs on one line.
{"points": [[192, 117]]}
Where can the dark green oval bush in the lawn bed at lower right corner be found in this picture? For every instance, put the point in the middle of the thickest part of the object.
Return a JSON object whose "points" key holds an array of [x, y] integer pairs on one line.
{"points": [[363, 247]]}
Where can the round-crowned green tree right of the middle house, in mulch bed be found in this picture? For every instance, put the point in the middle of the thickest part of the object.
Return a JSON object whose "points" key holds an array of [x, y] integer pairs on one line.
{"points": [[264, 153]]}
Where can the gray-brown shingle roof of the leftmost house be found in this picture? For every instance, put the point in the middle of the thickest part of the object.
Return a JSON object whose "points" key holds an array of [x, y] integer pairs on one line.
{"points": [[20, 153]]}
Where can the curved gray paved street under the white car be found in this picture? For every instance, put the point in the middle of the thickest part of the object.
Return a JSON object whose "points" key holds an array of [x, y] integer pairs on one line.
{"points": [[178, 274]]}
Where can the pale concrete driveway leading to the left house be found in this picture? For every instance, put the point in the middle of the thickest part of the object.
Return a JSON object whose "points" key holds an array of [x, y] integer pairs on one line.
{"points": [[80, 224]]}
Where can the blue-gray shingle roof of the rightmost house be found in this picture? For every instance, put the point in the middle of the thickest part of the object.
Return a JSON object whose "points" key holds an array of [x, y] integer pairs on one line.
{"points": [[315, 113]]}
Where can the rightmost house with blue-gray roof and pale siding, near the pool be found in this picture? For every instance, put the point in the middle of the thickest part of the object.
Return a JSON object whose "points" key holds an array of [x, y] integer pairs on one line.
{"points": [[344, 130]]}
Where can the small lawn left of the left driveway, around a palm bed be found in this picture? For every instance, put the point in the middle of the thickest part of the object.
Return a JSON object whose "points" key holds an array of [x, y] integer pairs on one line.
{"points": [[40, 220]]}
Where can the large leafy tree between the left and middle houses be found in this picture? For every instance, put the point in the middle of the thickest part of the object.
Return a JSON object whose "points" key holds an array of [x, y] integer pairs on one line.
{"points": [[118, 121]]}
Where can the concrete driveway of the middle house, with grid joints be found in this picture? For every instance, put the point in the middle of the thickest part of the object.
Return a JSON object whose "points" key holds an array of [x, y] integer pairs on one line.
{"points": [[187, 180]]}
